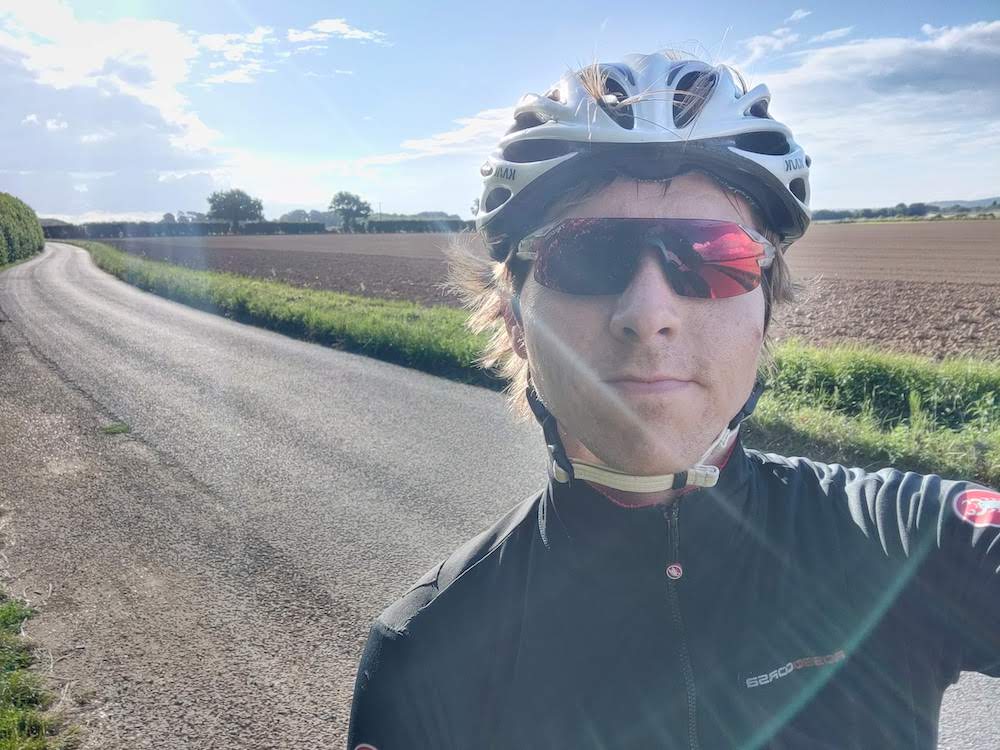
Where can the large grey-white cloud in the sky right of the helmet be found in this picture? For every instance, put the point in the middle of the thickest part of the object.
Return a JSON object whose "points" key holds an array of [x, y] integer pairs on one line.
{"points": [[916, 116]]}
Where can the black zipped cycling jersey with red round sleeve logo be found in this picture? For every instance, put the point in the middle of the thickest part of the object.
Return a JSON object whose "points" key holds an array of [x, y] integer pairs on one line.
{"points": [[794, 605]]}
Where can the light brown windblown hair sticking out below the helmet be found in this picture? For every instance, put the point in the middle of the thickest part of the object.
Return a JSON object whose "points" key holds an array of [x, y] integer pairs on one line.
{"points": [[485, 288]]}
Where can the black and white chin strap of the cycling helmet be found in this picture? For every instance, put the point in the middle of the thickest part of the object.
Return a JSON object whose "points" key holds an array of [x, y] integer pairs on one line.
{"points": [[564, 469]]}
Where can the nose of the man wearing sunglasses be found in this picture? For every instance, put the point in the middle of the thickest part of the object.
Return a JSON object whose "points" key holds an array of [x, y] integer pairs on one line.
{"points": [[649, 306]]}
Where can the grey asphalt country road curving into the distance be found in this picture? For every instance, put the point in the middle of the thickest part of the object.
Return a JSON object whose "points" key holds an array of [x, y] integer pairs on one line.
{"points": [[213, 572]]}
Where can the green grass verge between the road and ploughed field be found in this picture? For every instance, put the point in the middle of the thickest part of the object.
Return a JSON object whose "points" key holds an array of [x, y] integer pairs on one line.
{"points": [[847, 404]]}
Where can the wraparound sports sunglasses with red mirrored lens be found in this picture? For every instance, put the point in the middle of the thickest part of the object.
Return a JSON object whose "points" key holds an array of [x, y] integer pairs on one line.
{"points": [[702, 258]]}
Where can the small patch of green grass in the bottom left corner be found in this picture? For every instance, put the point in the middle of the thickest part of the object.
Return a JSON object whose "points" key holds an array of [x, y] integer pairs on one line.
{"points": [[24, 723]]}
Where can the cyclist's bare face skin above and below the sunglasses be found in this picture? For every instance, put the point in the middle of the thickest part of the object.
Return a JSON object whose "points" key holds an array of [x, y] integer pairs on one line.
{"points": [[579, 347]]}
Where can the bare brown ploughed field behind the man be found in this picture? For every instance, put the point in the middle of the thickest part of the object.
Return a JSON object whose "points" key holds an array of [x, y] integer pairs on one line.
{"points": [[931, 288]]}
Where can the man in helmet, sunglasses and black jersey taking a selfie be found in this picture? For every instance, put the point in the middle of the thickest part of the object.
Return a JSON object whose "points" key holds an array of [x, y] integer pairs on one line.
{"points": [[669, 588]]}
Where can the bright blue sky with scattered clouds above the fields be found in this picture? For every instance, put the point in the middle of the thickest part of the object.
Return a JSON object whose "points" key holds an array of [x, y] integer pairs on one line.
{"points": [[132, 108]]}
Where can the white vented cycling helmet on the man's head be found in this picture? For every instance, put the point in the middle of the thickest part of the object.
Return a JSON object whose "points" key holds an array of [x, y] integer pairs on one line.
{"points": [[652, 117]]}
